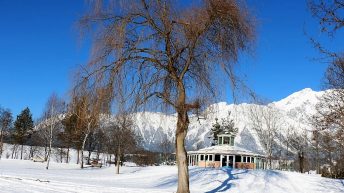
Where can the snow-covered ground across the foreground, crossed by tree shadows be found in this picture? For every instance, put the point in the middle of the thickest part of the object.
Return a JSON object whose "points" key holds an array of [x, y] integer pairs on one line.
{"points": [[27, 176]]}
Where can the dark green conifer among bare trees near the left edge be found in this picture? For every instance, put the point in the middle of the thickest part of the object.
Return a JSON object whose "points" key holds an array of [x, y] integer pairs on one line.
{"points": [[23, 128]]}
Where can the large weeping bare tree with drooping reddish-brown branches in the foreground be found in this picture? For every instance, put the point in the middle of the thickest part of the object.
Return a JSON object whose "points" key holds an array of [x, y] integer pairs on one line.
{"points": [[162, 50]]}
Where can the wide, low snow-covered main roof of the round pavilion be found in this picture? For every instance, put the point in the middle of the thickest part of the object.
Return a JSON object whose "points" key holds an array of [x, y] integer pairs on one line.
{"points": [[225, 149]]}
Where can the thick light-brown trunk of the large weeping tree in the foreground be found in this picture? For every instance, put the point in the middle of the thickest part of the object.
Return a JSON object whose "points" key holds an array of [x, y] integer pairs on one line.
{"points": [[181, 155]]}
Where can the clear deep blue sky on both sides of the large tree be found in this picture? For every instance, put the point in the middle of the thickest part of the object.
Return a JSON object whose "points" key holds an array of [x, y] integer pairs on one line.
{"points": [[40, 48]]}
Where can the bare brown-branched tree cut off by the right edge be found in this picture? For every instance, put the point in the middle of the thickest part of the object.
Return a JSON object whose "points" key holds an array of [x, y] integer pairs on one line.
{"points": [[328, 122]]}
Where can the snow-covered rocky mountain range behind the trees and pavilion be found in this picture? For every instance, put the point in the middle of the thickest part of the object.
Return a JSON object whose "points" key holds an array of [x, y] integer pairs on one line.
{"points": [[292, 110]]}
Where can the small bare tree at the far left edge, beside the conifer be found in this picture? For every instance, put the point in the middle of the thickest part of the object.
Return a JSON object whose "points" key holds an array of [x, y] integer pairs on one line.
{"points": [[5, 123]]}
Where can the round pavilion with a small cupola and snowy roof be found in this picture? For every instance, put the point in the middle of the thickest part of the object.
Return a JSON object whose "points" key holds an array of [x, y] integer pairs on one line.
{"points": [[224, 153]]}
